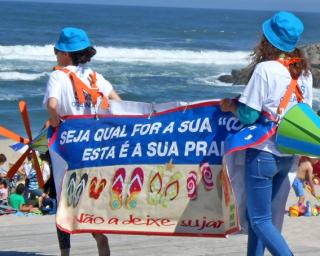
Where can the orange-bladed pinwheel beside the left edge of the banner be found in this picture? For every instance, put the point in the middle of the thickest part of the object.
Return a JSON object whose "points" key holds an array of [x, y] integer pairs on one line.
{"points": [[29, 142]]}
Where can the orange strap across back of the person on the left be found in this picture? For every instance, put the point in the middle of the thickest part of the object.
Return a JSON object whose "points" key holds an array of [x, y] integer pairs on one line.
{"points": [[79, 88]]}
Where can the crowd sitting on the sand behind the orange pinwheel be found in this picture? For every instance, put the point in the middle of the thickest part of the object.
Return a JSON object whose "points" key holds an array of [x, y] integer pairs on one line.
{"points": [[21, 194]]}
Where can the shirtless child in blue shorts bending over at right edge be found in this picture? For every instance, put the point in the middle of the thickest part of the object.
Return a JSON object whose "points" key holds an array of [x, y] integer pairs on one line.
{"points": [[304, 177]]}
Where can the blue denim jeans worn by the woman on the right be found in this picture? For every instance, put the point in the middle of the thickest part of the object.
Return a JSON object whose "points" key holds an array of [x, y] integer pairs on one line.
{"points": [[265, 174]]}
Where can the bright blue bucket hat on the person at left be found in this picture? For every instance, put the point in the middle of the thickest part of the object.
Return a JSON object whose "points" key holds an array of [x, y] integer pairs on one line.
{"points": [[72, 40]]}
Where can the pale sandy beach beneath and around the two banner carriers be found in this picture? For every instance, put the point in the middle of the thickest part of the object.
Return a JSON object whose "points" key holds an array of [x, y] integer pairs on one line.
{"points": [[36, 235]]}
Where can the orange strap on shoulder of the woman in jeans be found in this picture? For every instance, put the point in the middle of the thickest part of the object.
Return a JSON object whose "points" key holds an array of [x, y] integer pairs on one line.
{"points": [[292, 88]]}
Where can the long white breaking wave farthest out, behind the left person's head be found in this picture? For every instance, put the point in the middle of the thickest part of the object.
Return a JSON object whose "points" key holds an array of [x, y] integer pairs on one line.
{"points": [[113, 54]]}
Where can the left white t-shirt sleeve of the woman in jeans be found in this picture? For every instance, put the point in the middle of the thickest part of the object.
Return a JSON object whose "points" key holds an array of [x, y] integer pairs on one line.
{"points": [[256, 91]]}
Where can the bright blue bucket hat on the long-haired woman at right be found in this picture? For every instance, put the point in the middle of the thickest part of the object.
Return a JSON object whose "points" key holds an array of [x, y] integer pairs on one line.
{"points": [[283, 30]]}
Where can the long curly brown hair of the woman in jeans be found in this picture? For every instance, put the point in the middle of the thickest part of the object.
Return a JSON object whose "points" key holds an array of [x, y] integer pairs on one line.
{"points": [[265, 51]]}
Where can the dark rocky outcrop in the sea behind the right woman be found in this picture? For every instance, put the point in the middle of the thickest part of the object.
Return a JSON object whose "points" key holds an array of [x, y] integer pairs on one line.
{"points": [[312, 52]]}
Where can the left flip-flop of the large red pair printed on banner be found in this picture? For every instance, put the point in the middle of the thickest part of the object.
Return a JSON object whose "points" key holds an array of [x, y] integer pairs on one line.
{"points": [[117, 188]]}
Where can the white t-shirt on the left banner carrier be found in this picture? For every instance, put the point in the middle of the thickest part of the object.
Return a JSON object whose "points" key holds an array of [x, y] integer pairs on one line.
{"points": [[59, 86]]}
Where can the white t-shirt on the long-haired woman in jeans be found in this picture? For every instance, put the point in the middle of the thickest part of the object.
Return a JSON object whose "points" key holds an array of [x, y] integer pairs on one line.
{"points": [[265, 90]]}
